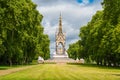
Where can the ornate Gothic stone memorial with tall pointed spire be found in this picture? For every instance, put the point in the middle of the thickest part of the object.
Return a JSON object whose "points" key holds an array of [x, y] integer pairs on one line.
{"points": [[60, 38]]}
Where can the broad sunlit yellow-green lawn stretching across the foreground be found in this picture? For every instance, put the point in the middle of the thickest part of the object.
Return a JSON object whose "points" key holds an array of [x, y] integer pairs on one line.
{"points": [[64, 72]]}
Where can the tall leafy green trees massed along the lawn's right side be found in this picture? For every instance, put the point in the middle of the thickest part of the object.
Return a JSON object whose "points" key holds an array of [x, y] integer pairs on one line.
{"points": [[100, 38]]}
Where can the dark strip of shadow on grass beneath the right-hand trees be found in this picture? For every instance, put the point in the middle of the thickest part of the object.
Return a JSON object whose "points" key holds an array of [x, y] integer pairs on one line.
{"points": [[94, 65]]}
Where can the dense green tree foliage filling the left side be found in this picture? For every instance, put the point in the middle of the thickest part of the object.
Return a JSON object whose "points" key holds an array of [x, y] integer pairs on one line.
{"points": [[21, 34]]}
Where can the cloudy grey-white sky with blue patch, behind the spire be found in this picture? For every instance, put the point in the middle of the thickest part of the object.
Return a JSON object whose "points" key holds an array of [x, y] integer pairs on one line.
{"points": [[75, 14]]}
